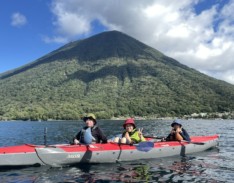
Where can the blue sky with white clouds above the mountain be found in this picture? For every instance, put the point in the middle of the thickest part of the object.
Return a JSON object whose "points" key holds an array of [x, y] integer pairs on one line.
{"points": [[197, 33]]}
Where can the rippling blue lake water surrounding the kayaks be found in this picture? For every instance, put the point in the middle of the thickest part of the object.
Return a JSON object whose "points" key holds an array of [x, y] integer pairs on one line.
{"points": [[216, 165]]}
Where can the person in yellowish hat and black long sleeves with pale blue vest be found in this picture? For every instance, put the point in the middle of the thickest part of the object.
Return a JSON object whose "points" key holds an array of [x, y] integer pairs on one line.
{"points": [[91, 133]]}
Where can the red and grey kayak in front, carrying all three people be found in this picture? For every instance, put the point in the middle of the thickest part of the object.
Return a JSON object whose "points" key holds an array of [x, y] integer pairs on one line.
{"points": [[111, 153]]}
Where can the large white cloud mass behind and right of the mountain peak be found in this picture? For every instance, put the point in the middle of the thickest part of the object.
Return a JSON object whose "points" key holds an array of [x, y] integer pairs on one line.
{"points": [[203, 41]]}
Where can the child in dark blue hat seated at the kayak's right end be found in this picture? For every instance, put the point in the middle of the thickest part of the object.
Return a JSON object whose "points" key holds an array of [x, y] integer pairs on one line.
{"points": [[177, 133]]}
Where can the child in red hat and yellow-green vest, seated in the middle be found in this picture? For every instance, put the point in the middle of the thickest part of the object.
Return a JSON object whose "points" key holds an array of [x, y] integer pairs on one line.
{"points": [[131, 135]]}
